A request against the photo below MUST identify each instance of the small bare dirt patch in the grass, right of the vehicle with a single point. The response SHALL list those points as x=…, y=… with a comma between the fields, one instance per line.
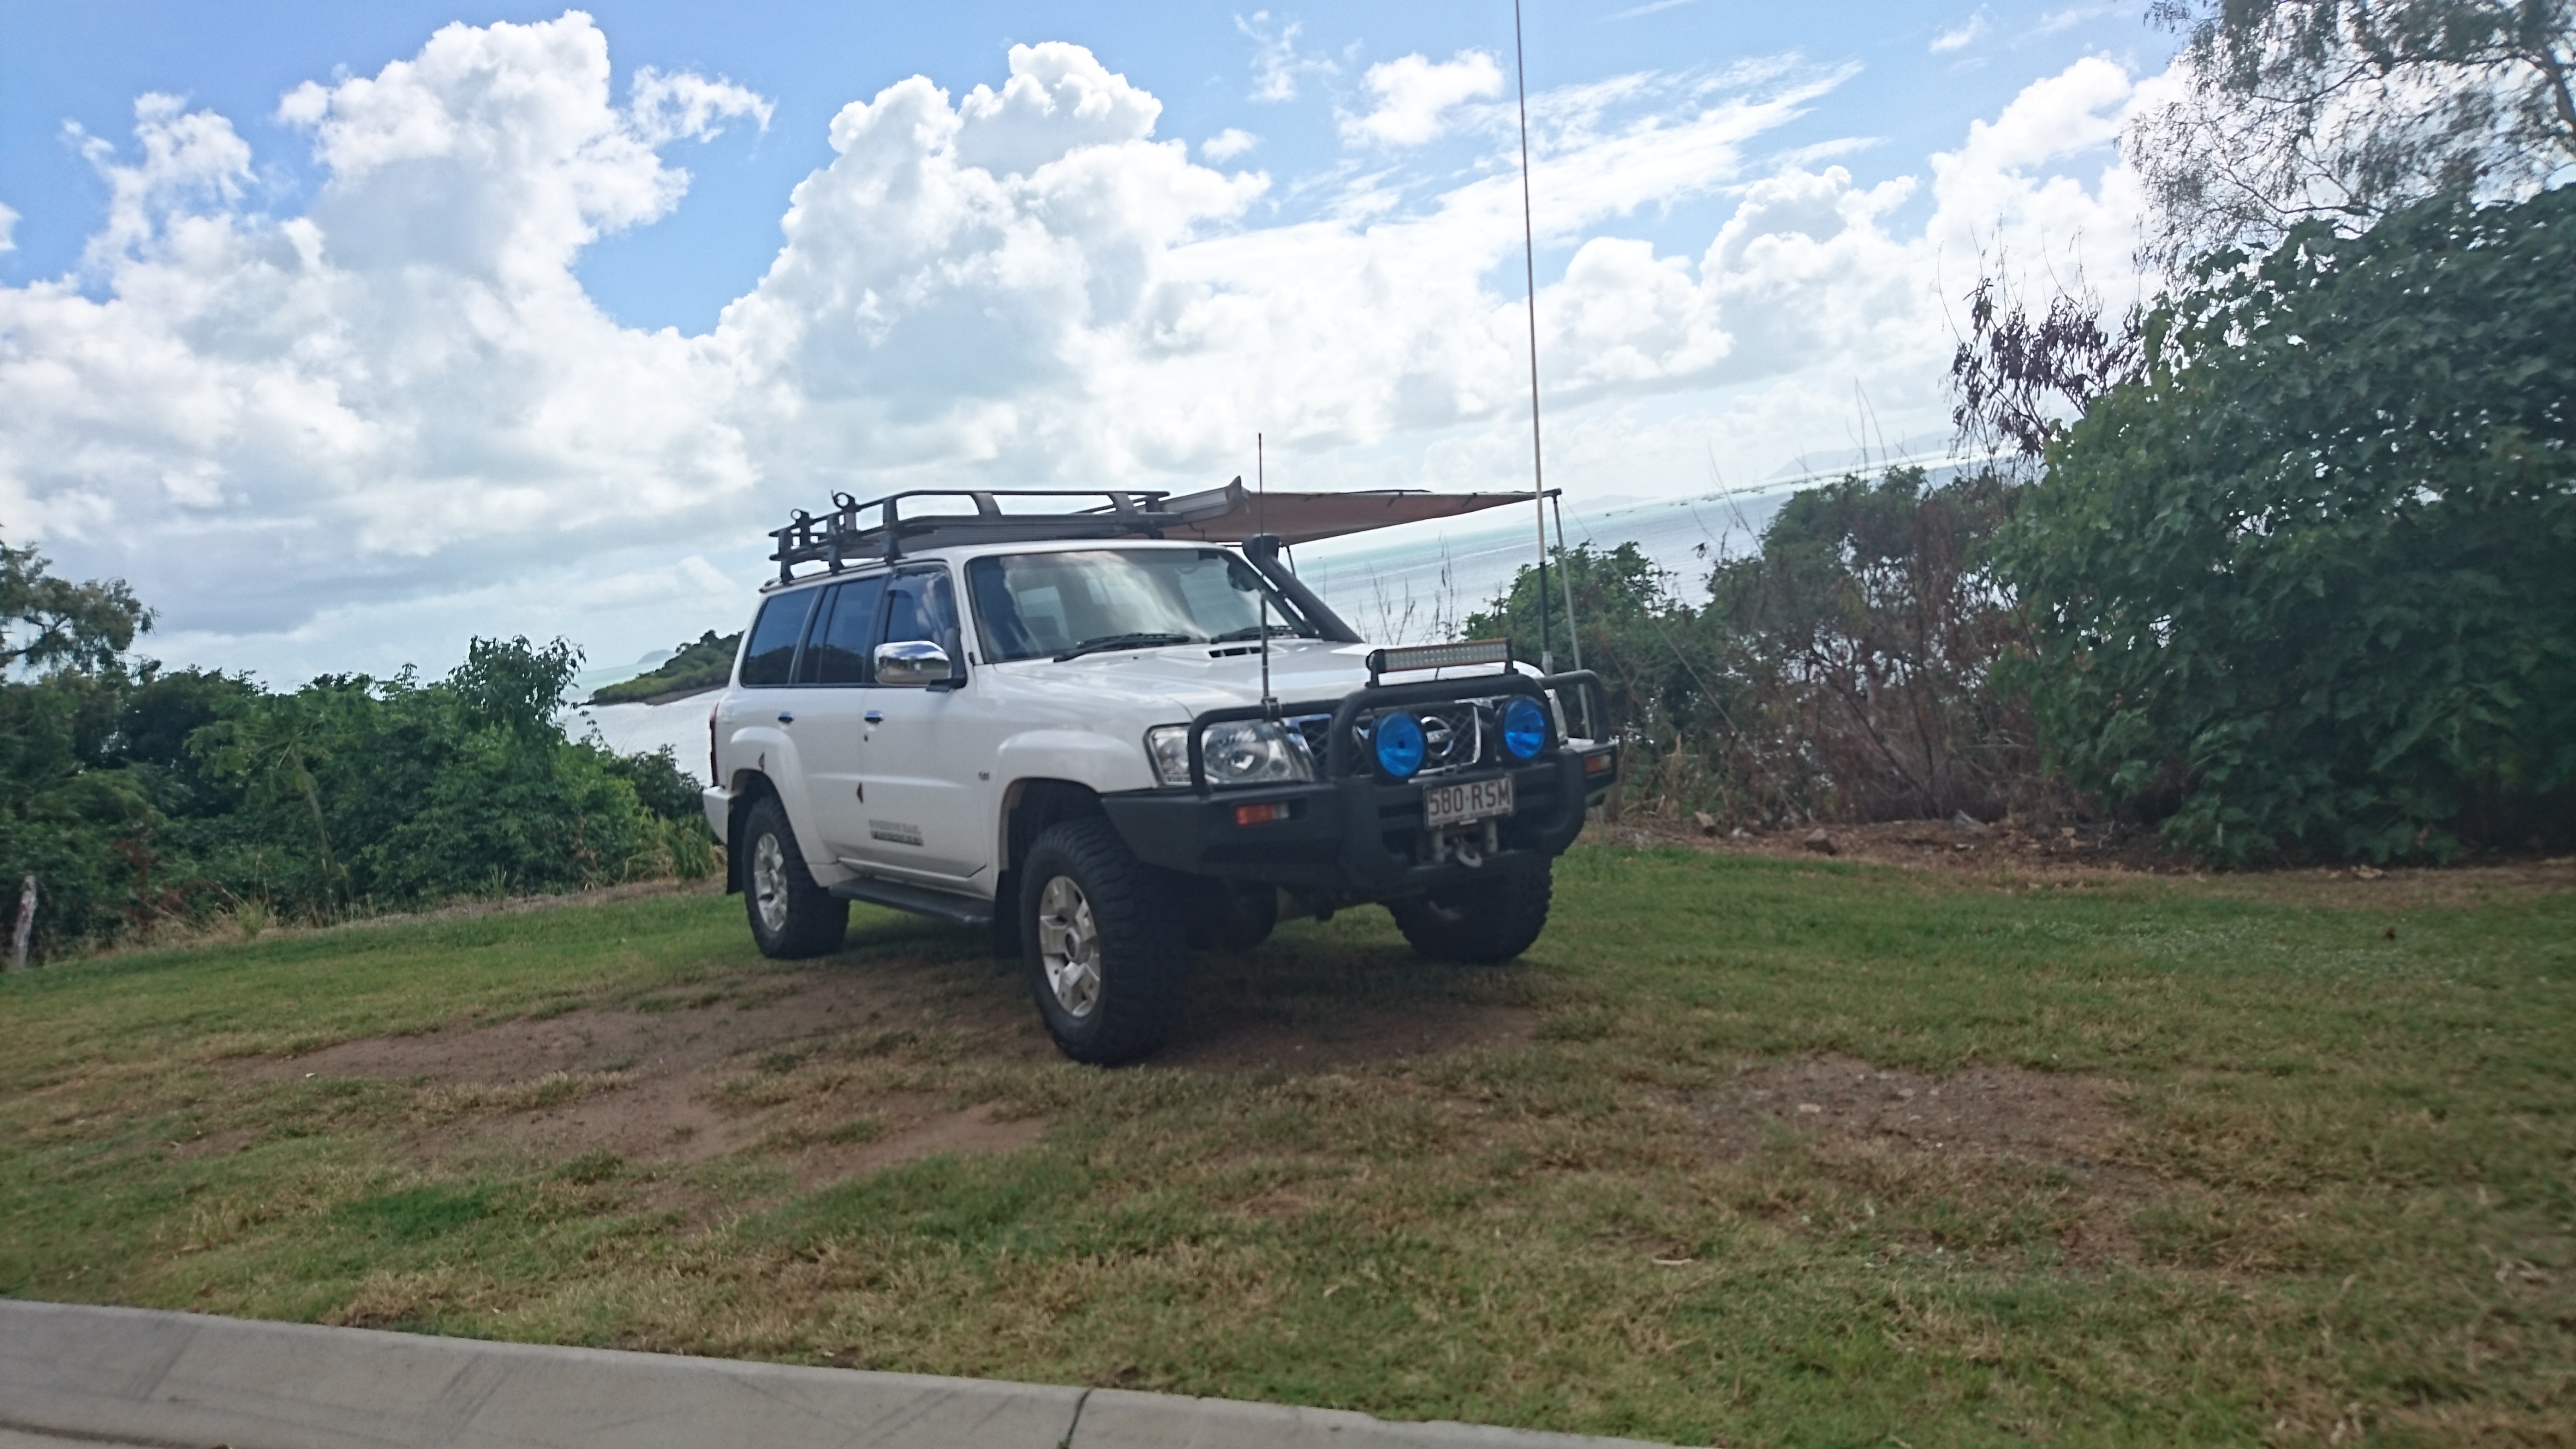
x=2047, y=1118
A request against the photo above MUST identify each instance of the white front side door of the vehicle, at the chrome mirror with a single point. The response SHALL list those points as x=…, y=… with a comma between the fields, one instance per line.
x=929, y=793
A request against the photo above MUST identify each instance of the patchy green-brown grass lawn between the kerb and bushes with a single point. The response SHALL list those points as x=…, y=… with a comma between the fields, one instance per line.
x=2343, y=1198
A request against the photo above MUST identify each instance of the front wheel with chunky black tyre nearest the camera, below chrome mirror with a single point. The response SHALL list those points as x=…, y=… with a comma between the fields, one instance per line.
x=1101, y=940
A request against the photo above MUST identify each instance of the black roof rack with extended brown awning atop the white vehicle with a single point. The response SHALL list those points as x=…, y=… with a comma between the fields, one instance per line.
x=885, y=530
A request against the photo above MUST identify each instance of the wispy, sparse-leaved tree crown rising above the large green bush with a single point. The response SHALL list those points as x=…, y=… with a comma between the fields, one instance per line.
x=2348, y=112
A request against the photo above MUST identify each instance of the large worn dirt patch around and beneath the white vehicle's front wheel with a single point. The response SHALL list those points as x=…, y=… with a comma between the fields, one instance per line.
x=784, y=1069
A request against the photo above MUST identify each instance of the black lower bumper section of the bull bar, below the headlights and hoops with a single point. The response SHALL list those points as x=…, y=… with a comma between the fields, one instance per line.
x=1356, y=837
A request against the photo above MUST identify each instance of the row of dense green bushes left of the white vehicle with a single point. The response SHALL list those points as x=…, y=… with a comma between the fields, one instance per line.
x=143, y=798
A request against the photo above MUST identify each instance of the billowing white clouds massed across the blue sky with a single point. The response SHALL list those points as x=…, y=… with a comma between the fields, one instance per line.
x=401, y=414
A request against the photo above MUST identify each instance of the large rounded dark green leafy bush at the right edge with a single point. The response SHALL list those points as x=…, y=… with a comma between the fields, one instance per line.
x=2309, y=587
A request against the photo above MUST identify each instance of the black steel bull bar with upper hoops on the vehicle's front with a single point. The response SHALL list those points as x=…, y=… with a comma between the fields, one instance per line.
x=1351, y=834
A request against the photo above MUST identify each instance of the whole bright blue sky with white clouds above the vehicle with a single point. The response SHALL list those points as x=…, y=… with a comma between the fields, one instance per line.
x=349, y=334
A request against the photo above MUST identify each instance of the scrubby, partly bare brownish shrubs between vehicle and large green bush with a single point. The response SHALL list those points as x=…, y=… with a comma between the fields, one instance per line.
x=1843, y=672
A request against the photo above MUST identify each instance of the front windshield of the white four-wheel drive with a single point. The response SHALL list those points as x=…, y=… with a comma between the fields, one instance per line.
x=1109, y=599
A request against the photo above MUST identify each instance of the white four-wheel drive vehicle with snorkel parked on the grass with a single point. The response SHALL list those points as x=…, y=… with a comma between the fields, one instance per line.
x=1112, y=744
